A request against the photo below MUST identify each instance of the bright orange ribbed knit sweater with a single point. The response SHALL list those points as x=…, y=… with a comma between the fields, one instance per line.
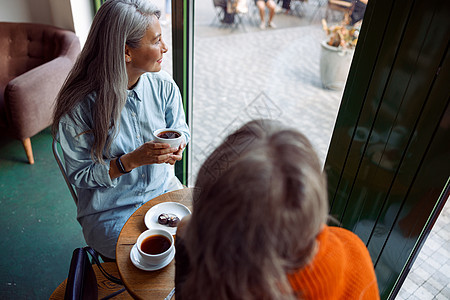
x=342, y=269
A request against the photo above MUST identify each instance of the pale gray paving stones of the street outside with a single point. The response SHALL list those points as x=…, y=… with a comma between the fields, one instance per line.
x=242, y=73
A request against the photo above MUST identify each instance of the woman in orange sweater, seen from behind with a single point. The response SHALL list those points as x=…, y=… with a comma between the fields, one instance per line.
x=258, y=226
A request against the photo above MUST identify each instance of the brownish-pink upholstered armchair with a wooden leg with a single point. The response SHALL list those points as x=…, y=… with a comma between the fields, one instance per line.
x=34, y=62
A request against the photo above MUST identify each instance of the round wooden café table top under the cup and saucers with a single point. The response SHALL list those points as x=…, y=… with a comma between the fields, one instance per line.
x=146, y=284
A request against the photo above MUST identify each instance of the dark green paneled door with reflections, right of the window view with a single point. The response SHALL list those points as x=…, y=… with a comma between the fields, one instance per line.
x=388, y=164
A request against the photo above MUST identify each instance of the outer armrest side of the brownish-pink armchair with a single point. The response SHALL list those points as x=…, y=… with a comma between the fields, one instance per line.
x=30, y=97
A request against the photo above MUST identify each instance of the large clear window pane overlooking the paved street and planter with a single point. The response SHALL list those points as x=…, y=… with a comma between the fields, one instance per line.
x=280, y=68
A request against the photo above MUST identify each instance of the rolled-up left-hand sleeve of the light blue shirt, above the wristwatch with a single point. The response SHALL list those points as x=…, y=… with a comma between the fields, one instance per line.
x=82, y=171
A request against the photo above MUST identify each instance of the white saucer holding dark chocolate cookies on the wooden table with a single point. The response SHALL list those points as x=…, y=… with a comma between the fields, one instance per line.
x=171, y=208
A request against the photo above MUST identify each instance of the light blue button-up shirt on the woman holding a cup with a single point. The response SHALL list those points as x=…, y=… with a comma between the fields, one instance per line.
x=104, y=205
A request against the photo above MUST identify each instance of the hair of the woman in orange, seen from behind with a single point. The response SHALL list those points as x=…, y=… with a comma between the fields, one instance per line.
x=260, y=203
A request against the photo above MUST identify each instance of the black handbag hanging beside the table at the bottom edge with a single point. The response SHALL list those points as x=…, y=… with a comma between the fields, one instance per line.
x=82, y=282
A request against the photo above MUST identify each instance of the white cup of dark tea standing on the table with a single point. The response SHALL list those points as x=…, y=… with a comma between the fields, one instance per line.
x=155, y=245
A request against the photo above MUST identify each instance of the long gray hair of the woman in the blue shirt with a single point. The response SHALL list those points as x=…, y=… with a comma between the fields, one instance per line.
x=101, y=68
